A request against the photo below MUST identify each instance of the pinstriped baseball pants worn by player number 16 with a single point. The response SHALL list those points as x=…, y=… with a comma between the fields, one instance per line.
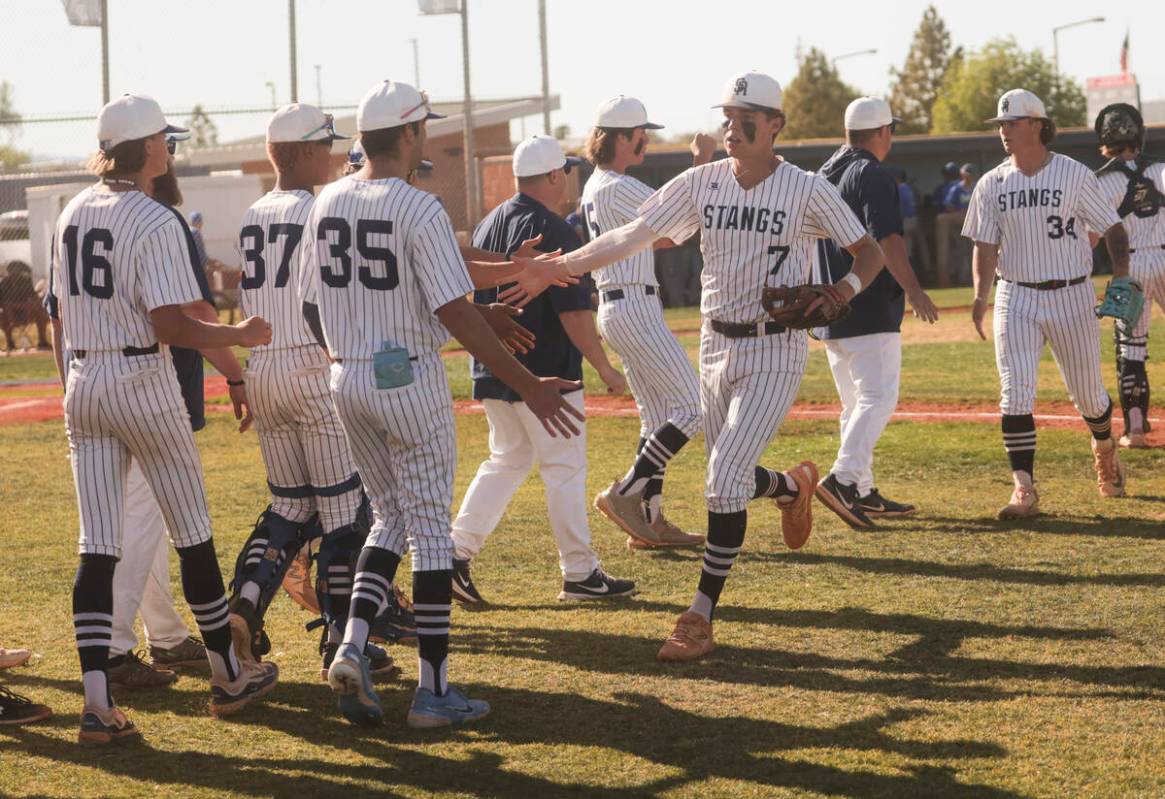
x=117, y=407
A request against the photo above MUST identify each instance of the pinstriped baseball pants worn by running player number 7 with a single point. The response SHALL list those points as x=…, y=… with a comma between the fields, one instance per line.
x=747, y=387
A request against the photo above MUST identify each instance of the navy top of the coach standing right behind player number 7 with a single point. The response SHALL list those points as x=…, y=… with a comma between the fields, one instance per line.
x=873, y=195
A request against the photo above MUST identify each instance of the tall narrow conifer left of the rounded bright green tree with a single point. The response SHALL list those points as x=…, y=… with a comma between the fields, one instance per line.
x=917, y=84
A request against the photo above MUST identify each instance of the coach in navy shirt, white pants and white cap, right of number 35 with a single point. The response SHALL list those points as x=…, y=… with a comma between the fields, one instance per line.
x=563, y=326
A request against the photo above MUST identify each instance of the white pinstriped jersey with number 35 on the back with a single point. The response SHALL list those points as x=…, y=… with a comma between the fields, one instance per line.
x=382, y=259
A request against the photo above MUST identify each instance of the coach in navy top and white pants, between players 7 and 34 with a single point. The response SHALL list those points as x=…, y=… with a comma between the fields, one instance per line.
x=865, y=350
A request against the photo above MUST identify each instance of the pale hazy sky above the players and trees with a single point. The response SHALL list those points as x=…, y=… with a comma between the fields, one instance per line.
x=675, y=56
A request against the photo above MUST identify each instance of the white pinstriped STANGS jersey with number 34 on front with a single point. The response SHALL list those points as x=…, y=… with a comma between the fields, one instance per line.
x=1040, y=223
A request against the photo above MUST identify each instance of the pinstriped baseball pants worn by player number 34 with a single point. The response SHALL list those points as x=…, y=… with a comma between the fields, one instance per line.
x=1025, y=321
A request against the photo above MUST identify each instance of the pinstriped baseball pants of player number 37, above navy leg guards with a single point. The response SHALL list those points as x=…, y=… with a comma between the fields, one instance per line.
x=300, y=436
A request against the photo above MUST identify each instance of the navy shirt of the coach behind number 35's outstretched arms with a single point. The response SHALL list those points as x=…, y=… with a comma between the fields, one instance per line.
x=554, y=355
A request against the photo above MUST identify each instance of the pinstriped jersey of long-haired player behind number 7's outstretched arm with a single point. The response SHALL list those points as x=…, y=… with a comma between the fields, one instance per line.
x=611, y=201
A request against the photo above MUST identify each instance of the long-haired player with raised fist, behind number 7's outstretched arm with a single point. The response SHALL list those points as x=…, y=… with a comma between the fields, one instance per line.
x=631, y=320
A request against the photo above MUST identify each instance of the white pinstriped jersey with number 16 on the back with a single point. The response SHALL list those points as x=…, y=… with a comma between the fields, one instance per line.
x=117, y=256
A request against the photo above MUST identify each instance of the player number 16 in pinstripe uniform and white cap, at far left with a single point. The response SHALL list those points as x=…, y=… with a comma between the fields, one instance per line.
x=121, y=275
